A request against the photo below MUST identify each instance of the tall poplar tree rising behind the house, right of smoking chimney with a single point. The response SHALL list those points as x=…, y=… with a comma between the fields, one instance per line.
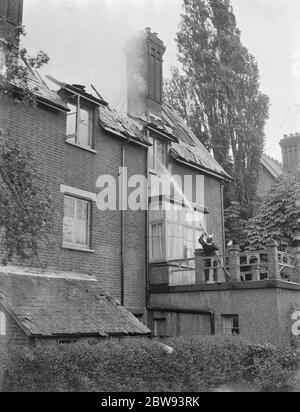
x=217, y=92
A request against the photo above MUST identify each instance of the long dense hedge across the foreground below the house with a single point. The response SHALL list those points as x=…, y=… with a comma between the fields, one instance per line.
x=196, y=364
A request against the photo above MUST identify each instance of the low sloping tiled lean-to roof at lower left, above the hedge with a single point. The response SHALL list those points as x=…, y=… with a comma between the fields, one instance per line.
x=48, y=306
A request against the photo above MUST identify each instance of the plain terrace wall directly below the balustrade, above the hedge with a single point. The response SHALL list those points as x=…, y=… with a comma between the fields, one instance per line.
x=264, y=312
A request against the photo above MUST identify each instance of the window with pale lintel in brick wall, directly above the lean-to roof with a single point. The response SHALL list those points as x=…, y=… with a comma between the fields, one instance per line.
x=76, y=222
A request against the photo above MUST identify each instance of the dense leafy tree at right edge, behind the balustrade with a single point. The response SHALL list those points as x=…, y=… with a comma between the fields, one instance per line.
x=279, y=215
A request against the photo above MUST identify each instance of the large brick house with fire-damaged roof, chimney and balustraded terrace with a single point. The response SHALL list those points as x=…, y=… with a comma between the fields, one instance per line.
x=144, y=258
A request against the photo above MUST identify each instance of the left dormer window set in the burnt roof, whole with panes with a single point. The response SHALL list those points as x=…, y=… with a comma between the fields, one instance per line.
x=80, y=121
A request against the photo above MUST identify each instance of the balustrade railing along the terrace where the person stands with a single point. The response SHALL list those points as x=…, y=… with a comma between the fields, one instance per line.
x=234, y=266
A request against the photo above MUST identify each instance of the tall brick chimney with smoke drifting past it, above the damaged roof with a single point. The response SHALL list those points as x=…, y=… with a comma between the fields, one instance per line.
x=144, y=55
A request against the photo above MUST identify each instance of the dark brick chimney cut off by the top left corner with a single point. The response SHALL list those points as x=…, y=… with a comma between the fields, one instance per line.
x=11, y=14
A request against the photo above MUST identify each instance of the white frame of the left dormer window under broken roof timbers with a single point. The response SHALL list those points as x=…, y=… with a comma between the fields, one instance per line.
x=75, y=137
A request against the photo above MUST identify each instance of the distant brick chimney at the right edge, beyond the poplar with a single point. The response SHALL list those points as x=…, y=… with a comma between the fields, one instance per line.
x=290, y=147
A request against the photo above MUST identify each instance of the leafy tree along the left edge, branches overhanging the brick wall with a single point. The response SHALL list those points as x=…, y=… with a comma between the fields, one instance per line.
x=25, y=203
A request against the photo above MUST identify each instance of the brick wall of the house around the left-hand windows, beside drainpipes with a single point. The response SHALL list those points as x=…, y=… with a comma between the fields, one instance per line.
x=61, y=163
